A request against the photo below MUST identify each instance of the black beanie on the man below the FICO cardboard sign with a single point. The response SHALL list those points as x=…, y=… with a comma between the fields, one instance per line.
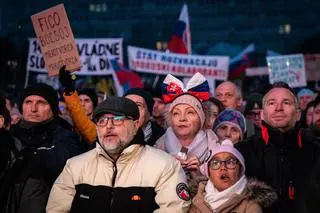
x=46, y=92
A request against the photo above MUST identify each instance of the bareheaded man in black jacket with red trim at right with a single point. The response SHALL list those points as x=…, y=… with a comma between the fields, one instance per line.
x=280, y=155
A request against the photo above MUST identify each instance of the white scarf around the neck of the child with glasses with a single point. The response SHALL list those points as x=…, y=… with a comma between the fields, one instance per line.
x=215, y=198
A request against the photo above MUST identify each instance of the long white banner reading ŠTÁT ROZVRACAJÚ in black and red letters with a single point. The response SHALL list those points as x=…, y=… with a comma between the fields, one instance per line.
x=156, y=62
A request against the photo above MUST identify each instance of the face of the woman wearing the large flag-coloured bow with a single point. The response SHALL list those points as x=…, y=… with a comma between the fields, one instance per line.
x=185, y=121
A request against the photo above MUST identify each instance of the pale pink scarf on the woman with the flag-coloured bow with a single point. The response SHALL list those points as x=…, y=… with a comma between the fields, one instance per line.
x=197, y=147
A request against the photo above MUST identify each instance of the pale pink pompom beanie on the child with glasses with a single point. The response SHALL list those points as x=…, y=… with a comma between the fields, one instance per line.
x=224, y=146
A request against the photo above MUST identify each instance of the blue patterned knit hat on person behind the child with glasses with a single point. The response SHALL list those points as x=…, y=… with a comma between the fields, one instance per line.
x=232, y=117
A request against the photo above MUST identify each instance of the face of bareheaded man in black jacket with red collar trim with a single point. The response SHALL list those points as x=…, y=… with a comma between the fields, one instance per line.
x=280, y=109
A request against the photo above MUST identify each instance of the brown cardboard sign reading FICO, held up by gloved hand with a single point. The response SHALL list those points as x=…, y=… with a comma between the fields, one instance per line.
x=56, y=39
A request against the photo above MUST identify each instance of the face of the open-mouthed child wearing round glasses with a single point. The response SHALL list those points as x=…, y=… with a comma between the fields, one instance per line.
x=224, y=177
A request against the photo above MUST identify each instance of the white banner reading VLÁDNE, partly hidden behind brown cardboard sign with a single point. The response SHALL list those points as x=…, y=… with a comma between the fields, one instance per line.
x=94, y=54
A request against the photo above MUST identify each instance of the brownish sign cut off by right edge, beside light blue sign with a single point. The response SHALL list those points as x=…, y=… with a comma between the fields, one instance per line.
x=312, y=64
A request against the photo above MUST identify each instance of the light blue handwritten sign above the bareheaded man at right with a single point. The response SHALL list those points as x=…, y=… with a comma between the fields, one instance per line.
x=287, y=68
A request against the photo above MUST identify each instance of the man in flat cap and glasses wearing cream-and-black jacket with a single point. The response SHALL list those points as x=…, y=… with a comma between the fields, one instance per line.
x=122, y=174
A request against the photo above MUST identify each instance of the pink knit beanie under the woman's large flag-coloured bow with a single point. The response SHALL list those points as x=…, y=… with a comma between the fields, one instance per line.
x=191, y=101
